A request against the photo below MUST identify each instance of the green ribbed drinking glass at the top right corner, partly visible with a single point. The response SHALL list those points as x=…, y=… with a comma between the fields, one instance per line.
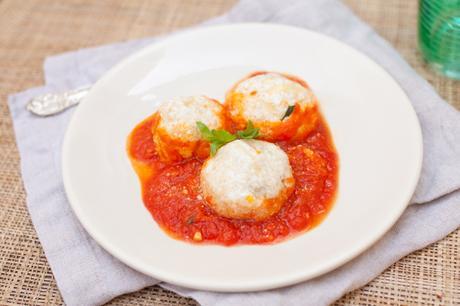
x=439, y=35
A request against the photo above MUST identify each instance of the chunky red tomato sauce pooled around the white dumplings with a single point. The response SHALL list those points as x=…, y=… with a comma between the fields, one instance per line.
x=171, y=192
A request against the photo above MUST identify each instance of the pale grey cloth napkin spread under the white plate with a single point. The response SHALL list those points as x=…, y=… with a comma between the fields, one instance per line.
x=87, y=275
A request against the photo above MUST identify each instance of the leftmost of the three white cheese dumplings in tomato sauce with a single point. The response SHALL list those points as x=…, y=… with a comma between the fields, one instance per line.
x=175, y=133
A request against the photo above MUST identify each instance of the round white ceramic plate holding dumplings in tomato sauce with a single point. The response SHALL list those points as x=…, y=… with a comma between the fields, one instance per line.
x=374, y=127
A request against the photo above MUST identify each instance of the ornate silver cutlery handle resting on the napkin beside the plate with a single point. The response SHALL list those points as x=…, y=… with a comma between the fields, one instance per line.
x=51, y=104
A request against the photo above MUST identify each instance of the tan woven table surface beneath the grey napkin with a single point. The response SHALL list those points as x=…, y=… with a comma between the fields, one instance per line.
x=30, y=30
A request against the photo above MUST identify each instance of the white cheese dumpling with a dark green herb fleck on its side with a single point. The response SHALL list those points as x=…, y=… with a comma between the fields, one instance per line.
x=282, y=106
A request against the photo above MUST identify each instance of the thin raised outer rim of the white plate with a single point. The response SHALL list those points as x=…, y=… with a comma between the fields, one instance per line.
x=260, y=285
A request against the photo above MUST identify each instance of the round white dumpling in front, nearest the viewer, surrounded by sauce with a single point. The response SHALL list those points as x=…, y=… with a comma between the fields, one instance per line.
x=247, y=179
